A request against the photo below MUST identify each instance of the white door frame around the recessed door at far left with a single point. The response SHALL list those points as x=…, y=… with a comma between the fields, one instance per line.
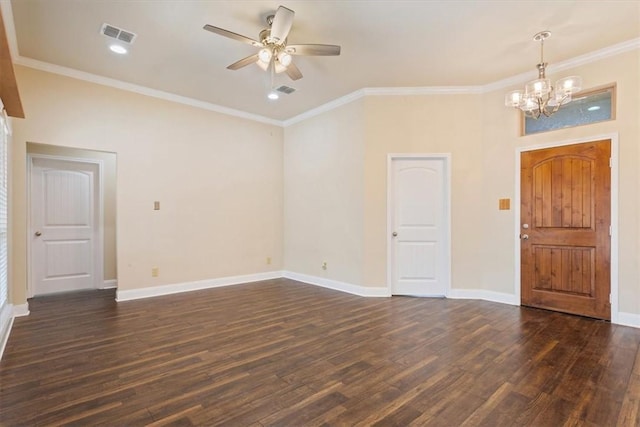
x=99, y=220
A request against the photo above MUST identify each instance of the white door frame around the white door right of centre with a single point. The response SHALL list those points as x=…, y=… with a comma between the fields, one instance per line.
x=446, y=158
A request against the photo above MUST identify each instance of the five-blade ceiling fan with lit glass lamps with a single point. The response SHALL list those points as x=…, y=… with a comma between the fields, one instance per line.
x=275, y=53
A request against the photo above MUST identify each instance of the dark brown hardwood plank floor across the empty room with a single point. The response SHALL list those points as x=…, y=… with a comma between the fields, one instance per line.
x=284, y=353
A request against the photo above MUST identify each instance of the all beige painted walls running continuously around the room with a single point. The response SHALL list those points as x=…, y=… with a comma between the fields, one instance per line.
x=220, y=180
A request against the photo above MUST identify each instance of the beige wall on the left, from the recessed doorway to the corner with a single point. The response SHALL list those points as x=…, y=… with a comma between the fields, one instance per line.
x=218, y=178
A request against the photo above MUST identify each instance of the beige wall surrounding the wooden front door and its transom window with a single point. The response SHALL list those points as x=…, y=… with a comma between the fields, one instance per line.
x=500, y=135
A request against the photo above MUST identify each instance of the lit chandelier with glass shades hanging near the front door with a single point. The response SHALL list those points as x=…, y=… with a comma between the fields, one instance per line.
x=539, y=97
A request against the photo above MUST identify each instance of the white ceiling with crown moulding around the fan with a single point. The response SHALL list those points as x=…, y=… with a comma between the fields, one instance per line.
x=384, y=43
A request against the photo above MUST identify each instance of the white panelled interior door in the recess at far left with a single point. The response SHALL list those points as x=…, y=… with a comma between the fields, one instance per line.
x=64, y=226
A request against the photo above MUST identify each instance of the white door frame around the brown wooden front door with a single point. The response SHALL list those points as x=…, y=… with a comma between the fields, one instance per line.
x=613, y=137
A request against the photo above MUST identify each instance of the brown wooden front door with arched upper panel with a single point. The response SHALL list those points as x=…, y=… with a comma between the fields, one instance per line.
x=565, y=229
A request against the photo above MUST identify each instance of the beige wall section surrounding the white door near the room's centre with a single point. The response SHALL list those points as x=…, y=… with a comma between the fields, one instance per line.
x=423, y=124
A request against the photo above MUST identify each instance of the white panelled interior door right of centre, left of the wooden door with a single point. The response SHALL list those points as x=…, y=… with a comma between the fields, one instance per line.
x=419, y=226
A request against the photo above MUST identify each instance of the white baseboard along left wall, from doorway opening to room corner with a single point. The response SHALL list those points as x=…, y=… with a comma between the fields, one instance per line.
x=131, y=294
